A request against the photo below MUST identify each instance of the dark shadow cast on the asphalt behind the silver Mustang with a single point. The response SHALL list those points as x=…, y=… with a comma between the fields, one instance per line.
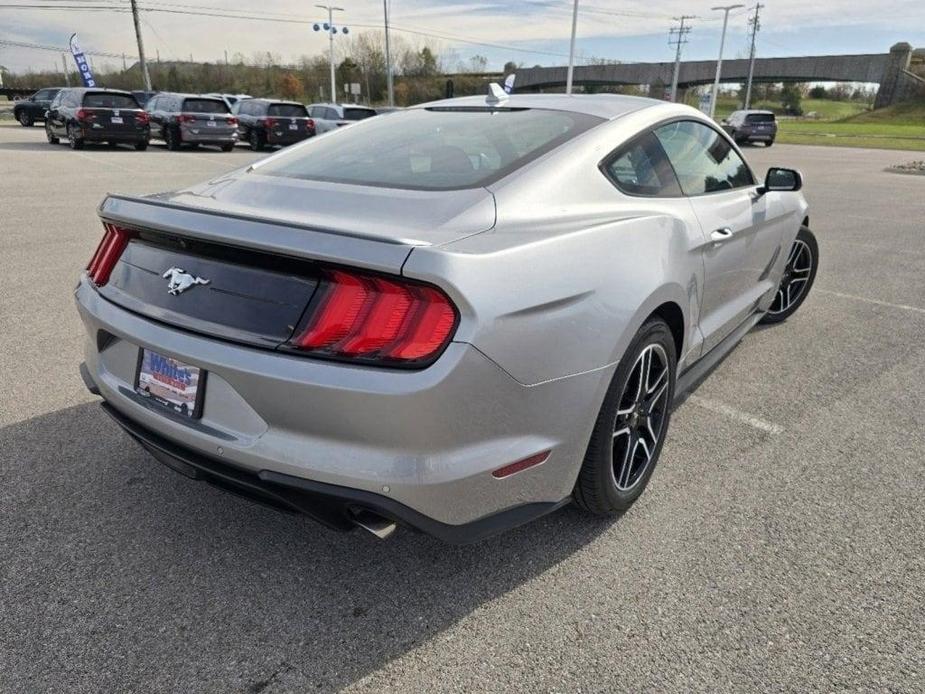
x=119, y=574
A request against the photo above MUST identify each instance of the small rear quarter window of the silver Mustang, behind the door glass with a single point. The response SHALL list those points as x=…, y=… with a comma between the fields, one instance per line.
x=641, y=168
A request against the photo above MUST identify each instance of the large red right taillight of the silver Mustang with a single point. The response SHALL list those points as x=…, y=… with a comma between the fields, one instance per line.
x=372, y=319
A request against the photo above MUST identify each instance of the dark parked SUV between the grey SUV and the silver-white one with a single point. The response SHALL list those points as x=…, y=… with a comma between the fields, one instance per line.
x=265, y=122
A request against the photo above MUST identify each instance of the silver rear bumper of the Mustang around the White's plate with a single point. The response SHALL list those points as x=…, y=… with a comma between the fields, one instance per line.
x=422, y=443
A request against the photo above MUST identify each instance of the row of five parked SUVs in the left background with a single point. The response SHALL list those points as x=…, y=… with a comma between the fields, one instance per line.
x=92, y=115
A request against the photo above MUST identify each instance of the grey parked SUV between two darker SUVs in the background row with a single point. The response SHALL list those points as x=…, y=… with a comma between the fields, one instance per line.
x=192, y=119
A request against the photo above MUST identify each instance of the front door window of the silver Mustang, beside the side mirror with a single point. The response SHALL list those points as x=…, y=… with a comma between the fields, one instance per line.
x=703, y=160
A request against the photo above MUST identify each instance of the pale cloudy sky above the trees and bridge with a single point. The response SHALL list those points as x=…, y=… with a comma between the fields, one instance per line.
x=529, y=32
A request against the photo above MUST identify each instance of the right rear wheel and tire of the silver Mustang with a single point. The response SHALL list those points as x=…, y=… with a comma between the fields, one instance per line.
x=617, y=468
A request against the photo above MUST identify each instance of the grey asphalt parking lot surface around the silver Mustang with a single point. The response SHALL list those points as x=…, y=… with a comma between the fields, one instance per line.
x=780, y=545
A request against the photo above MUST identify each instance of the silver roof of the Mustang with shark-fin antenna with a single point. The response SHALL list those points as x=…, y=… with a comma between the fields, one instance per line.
x=606, y=106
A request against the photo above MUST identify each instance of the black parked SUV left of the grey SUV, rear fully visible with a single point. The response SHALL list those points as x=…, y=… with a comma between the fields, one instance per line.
x=96, y=115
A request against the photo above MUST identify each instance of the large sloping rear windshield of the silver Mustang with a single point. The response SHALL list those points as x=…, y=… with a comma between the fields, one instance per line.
x=432, y=149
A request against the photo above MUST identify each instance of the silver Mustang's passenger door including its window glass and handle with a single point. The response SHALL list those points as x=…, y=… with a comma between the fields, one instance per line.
x=742, y=230
